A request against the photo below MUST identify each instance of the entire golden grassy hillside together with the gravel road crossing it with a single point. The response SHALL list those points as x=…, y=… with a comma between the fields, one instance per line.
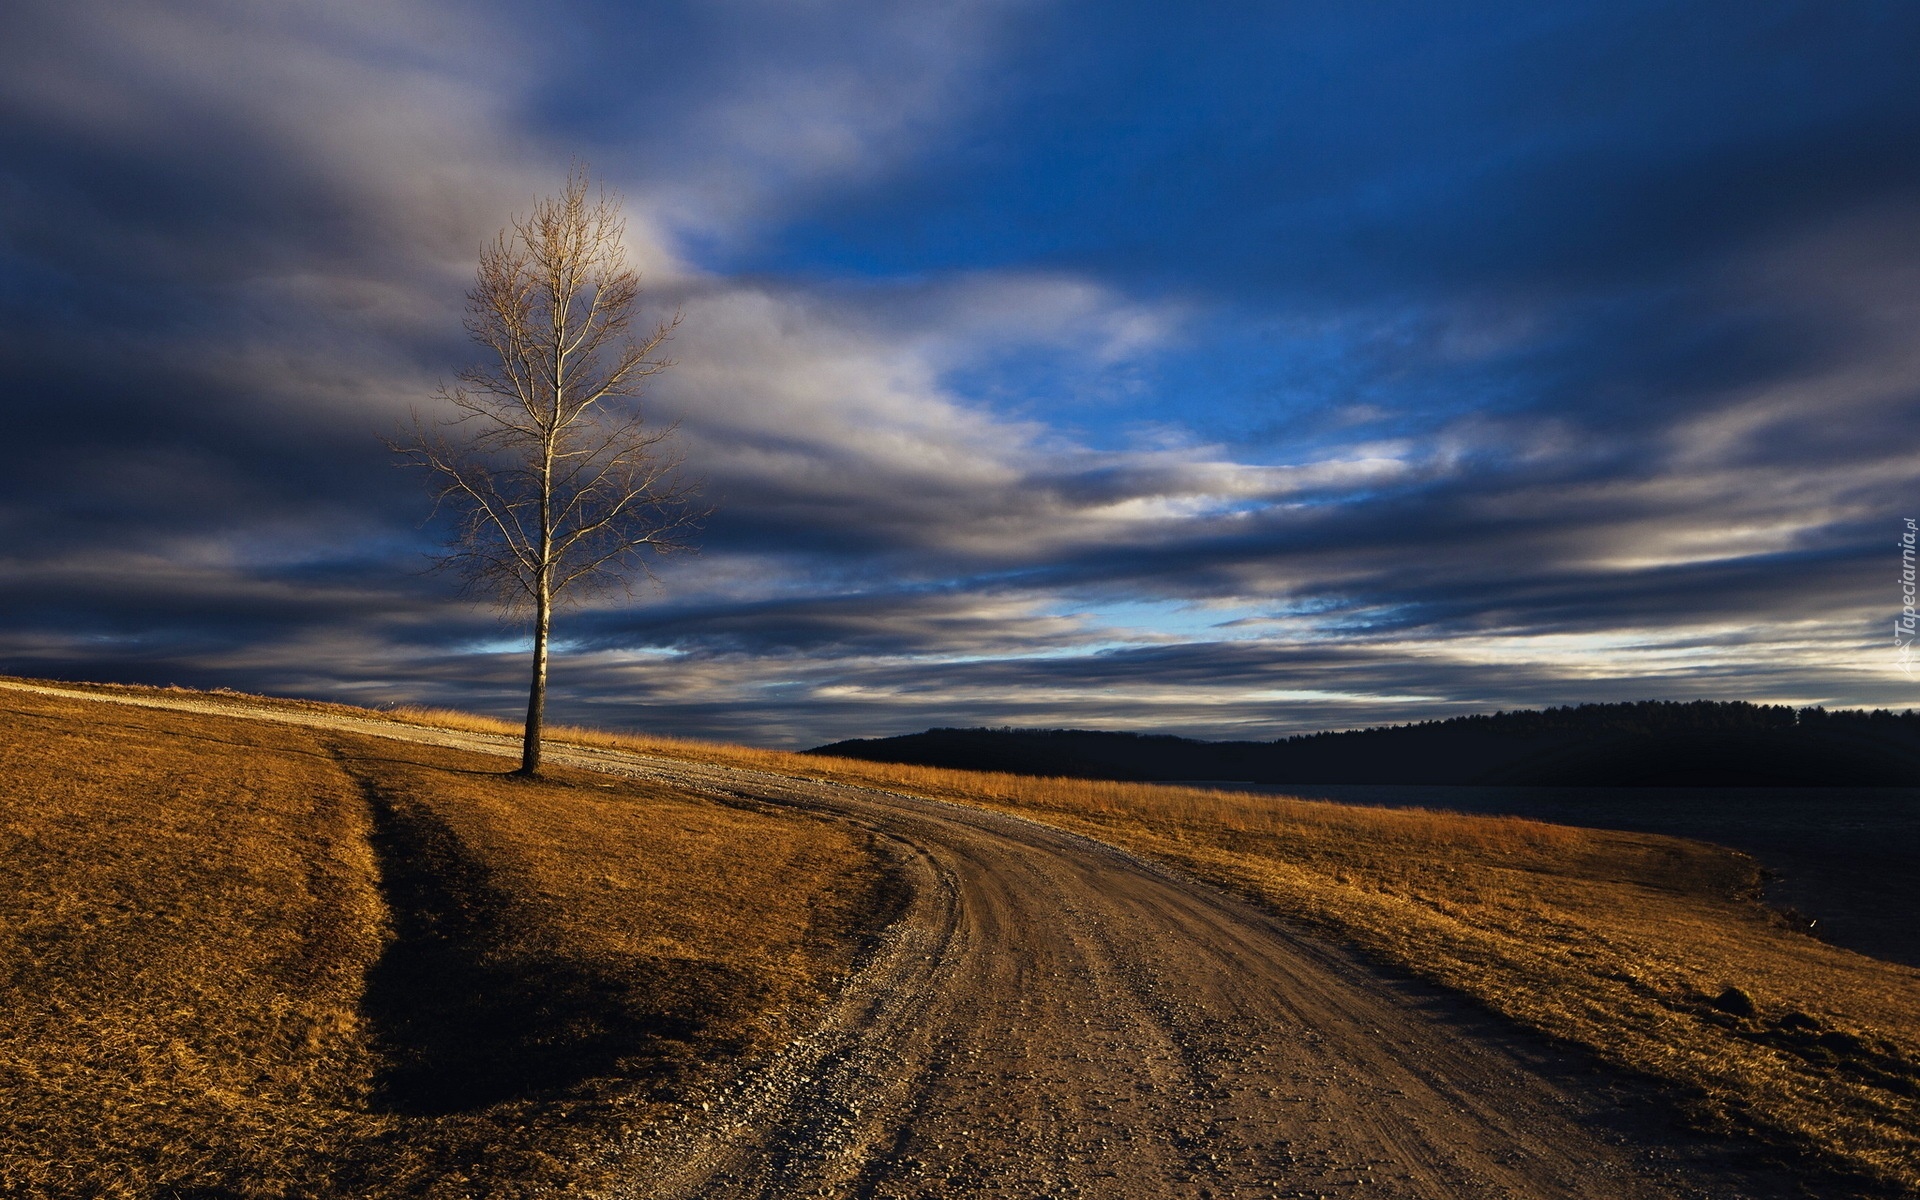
x=254, y=959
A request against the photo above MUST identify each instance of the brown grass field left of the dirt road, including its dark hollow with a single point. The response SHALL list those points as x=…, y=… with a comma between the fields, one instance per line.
x=243, y=959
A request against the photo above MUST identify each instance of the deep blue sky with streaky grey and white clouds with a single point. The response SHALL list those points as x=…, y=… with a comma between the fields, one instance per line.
x=1228, y=370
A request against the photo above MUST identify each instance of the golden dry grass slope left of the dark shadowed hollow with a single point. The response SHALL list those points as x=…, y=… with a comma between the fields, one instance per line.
x=183, y=942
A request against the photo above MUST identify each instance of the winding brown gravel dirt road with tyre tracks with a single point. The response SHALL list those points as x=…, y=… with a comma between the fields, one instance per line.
x=1055, y=1019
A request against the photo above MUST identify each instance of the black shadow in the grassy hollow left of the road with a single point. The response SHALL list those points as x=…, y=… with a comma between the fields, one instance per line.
x=471, y=1011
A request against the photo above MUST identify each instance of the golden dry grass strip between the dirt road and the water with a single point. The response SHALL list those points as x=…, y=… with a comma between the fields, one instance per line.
x=1623, y=944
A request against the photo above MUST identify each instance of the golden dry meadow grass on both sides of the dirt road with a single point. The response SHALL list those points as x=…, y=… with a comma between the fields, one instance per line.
x=158, y=1015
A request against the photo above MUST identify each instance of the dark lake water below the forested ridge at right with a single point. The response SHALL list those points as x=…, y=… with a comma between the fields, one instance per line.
x=1846, y=857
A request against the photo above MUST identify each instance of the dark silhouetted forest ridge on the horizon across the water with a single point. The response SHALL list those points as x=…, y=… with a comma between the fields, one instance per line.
x=1648, y=744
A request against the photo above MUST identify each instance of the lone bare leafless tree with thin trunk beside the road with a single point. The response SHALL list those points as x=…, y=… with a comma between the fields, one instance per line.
x=560, y=485
